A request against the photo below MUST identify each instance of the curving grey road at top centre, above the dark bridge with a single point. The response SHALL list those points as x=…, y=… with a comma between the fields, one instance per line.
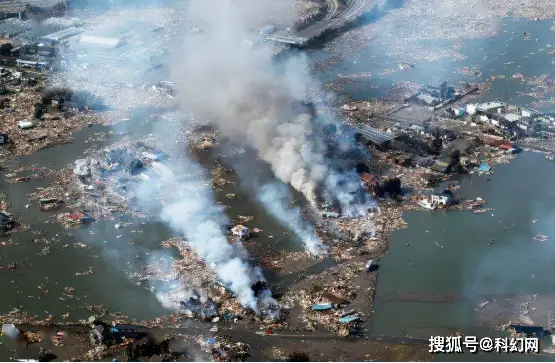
x=334, y=19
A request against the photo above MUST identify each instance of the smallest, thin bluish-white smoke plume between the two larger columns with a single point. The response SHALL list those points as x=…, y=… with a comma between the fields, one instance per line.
x=275, y=198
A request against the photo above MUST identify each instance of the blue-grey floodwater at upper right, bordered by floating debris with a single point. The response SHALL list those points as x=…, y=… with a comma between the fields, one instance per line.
x=504, y=54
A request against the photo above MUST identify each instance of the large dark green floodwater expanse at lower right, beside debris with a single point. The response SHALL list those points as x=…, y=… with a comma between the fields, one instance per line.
x=447, y=254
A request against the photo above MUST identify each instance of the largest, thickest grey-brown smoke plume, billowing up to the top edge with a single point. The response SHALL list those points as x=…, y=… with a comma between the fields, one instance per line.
x=242, y=91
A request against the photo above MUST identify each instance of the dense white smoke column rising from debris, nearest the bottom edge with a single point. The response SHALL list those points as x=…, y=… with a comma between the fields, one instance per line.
x=191, y=211
